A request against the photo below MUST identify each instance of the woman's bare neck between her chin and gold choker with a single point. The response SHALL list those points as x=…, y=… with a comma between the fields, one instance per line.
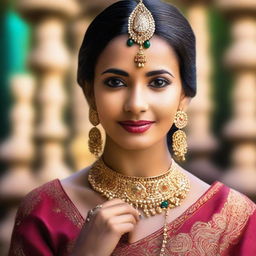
x=152, y=161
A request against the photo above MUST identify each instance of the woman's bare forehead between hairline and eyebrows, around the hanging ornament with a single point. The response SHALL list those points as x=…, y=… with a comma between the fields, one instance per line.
x=117, y=54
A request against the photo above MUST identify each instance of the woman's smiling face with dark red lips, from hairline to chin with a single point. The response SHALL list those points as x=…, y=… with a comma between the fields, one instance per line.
x=136, y=106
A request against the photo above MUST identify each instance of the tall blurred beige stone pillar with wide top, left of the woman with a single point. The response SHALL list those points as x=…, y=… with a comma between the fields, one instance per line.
x=50, y=59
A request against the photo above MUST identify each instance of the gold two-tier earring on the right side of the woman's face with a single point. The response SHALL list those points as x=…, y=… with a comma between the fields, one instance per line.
x=179, y=137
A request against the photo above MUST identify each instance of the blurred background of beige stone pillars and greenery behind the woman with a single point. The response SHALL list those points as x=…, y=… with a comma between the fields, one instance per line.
x=44, y=124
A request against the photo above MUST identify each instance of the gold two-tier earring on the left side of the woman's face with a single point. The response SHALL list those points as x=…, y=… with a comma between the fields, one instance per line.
x=95, y=139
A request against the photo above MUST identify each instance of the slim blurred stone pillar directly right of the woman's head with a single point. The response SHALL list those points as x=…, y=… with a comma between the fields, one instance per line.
x=201, y=141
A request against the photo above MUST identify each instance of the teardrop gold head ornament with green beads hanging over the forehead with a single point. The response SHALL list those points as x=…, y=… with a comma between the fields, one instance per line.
x=141, y=27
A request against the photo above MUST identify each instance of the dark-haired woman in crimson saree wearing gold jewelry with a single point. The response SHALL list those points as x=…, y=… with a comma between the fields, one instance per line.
x=137, y=71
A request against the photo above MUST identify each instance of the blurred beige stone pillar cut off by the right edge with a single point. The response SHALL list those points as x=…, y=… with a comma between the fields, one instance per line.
x=241, y=129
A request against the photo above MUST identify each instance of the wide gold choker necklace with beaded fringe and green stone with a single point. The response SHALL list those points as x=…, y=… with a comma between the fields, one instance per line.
x=149, y=194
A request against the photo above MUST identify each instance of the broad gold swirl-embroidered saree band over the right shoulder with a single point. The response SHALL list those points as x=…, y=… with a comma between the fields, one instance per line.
x=214, y=237
